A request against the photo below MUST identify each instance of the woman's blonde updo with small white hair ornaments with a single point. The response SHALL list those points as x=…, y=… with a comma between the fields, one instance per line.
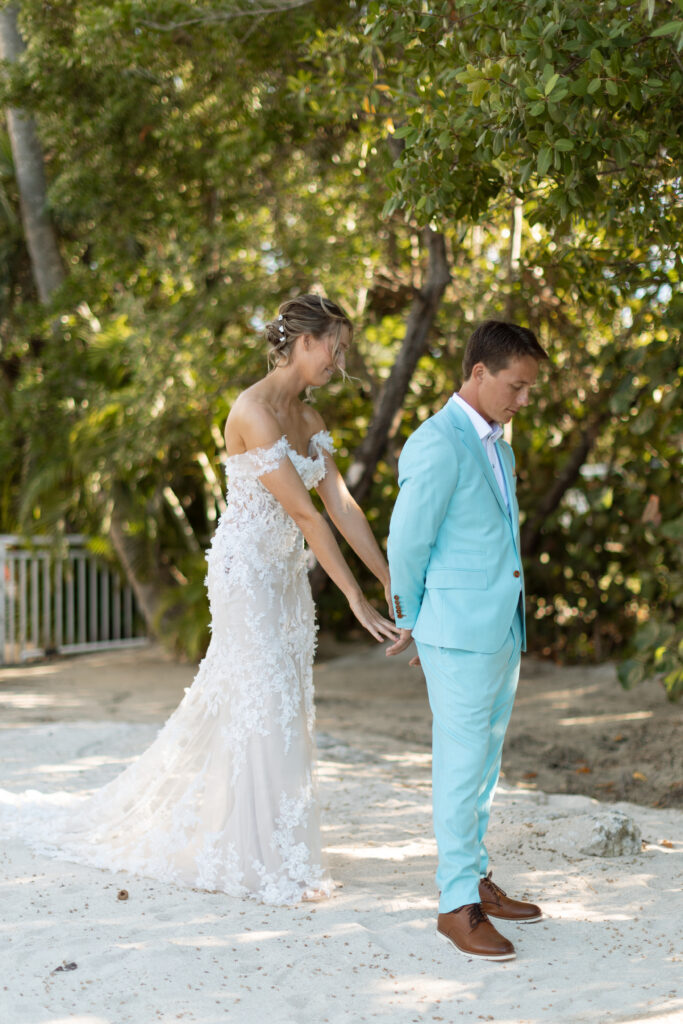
x=312, y=315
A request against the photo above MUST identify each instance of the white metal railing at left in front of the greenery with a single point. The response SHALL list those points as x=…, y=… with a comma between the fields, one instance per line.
x=61, y=599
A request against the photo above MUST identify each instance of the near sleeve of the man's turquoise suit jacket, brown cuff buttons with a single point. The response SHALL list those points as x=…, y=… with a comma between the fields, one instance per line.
x=428, y=479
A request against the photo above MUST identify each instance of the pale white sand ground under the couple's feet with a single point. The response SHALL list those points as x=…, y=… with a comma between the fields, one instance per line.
x=610, y=951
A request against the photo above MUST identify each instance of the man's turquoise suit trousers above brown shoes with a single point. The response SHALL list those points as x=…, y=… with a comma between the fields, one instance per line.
x=472, y=697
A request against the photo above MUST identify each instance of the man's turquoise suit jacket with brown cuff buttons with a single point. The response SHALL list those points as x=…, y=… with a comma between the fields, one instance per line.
x=454, y=549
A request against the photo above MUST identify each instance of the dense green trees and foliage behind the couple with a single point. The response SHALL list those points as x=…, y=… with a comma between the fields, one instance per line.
x=206, y=160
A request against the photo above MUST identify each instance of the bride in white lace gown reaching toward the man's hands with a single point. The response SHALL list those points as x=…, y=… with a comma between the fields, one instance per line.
x=225, y=798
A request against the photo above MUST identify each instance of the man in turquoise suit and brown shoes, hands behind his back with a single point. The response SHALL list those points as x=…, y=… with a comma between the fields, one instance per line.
x=459, y=591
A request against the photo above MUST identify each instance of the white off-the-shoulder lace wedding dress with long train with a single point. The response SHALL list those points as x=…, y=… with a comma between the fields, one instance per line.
x=225, y=798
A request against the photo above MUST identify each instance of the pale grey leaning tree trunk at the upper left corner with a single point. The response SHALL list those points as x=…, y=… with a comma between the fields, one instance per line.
x=49, y=272
